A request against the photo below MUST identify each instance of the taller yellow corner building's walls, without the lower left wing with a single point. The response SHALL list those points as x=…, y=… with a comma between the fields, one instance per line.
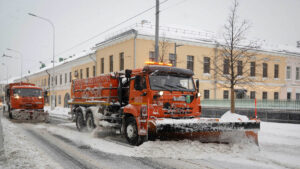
x=131, y=49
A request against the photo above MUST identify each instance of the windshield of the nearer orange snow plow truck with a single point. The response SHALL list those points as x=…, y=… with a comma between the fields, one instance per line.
x=171, y=83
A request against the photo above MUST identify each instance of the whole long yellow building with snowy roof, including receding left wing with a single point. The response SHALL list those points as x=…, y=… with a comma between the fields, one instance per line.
x=132, y=48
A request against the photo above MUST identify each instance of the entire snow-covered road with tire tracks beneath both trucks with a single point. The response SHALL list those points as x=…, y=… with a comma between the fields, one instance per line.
x=59, y=145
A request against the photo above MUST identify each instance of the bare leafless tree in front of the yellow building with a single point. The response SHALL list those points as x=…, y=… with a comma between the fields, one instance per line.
x=232, y=60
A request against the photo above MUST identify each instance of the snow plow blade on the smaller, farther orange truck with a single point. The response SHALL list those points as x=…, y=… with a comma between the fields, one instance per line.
x=30, y=115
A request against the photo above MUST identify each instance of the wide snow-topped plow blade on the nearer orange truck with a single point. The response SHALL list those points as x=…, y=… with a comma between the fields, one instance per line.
x=206, y=130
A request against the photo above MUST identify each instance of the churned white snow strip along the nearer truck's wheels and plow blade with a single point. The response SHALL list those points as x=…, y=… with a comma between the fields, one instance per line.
x=279, y=147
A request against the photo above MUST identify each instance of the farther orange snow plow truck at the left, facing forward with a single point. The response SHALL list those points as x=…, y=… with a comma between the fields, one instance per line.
x=25, y=101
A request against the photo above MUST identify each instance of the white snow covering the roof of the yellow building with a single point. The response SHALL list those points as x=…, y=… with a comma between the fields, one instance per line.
x=195, y=35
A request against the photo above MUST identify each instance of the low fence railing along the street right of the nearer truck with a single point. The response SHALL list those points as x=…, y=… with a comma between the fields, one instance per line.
x=292, y=105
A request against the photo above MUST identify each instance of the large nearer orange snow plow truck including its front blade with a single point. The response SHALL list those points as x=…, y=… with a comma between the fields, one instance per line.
x=156, y=101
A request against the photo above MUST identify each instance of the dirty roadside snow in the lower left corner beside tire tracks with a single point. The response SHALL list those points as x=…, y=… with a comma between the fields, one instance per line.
x=21, y=152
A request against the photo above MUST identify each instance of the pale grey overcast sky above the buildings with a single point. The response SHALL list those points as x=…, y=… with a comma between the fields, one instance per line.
x=276, y=21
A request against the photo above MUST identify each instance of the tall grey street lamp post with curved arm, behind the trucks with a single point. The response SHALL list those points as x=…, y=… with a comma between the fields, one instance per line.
x=53, y=71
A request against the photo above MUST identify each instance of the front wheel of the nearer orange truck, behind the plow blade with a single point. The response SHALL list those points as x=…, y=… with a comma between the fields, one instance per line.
x=131, y=132
